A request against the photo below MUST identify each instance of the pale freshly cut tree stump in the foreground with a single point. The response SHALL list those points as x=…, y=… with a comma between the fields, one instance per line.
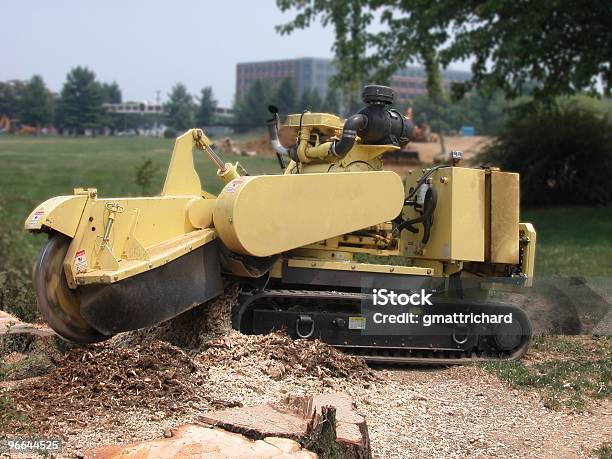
x=324, y=426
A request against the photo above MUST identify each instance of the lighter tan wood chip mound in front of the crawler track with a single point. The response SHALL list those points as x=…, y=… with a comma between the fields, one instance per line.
x=279, y=356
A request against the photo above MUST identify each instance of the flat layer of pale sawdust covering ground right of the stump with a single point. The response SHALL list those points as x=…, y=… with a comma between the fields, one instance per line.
x=467, y=412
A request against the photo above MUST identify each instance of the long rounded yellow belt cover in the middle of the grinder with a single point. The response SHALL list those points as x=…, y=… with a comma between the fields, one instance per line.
x=268, y=215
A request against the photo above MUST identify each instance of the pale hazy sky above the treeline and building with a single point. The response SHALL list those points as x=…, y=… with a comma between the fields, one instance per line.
x=147, y=45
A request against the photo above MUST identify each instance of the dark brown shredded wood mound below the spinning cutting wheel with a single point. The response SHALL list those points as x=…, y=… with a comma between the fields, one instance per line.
x=157, y=376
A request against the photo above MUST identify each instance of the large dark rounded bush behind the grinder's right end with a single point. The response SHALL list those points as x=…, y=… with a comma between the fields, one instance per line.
x=563, y=152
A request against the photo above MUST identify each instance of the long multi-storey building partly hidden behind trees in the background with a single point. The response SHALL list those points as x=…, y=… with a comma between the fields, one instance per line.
x=310, y=73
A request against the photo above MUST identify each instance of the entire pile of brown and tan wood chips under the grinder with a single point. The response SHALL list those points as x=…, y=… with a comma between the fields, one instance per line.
x=173, y=370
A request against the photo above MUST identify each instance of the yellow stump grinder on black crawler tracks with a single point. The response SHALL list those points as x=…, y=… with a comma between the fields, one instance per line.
x=327, y=249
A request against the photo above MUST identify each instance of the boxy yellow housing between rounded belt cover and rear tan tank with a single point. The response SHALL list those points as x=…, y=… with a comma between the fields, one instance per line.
x=458, y=229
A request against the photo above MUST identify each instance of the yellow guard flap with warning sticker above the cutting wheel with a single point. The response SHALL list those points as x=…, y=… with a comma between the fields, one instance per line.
x=61, y=213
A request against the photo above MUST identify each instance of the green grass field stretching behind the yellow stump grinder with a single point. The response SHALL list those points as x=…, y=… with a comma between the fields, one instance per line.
x=571, y=241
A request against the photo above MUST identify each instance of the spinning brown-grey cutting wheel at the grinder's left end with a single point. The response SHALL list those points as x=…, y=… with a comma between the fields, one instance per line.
x=58, y=304
